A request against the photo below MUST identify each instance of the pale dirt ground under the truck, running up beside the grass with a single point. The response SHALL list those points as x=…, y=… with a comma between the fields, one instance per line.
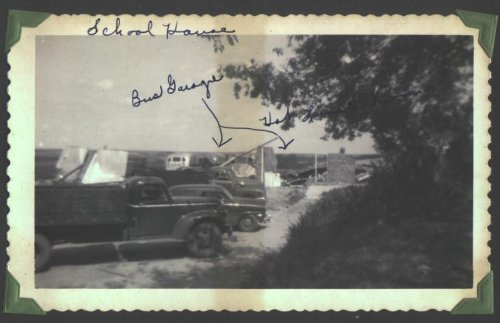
x=157, y=264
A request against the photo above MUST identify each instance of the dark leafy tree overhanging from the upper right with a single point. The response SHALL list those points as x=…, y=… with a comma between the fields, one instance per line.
x=413, y=94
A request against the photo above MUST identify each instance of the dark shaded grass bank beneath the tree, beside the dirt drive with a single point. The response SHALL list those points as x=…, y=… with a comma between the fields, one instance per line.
x=377, y=236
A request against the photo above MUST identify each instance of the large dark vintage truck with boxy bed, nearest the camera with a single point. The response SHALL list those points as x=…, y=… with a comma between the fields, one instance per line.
x=136, y=208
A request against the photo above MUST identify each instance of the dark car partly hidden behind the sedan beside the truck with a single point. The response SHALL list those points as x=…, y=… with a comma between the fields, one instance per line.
x=238, y=186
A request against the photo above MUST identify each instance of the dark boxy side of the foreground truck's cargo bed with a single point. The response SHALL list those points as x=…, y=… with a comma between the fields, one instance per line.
x=76, y=204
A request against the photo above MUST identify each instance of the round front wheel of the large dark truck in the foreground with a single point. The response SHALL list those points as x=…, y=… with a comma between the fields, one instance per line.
x=205, y=240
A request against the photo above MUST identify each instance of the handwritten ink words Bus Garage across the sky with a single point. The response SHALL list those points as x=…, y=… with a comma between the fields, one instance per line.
x=173, y=88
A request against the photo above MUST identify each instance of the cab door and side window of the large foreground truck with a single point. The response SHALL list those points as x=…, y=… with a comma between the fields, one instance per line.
x=153, y=214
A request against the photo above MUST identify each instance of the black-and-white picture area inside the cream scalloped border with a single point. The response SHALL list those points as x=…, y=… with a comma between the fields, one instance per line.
x=229, y=161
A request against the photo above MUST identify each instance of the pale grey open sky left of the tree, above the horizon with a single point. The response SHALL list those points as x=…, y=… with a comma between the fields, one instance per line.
x=84, y=91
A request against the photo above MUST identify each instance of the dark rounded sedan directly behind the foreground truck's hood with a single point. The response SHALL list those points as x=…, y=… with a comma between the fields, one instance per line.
x=243, y=213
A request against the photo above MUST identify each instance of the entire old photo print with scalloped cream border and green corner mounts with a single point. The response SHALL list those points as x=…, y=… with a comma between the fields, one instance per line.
x=249, y=163
